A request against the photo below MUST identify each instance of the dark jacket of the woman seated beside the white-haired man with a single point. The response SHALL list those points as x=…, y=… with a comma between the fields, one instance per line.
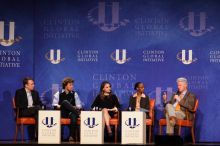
x=144, y=103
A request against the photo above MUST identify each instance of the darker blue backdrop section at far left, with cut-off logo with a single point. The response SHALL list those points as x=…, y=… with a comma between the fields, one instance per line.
x=16, y=56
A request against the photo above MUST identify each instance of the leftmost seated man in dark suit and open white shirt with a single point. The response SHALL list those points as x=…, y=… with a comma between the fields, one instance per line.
x=28, y=102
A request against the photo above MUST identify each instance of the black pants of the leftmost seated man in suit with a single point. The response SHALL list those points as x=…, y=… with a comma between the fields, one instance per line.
x=31, y=112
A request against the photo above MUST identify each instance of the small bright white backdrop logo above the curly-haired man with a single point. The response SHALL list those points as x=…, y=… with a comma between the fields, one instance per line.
x=51, y=57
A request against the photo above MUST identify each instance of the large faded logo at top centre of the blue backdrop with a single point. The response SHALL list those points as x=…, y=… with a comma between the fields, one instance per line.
x=102, y=18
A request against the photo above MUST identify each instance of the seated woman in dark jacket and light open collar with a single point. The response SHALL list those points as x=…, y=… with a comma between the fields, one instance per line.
x=139, y=101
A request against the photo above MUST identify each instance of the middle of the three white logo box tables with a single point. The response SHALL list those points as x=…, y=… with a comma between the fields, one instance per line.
x=92, y=127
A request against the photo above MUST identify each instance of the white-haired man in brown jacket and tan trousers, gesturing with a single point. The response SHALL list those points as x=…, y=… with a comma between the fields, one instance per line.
x=180, y=102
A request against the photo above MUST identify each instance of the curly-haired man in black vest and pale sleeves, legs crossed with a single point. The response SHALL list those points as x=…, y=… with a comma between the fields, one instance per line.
x=69, y=103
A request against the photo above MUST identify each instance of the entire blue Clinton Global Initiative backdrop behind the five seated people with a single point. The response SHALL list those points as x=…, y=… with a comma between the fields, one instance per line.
x=119, y=41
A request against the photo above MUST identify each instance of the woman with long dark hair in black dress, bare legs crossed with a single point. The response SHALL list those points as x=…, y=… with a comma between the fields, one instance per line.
x=107, y=102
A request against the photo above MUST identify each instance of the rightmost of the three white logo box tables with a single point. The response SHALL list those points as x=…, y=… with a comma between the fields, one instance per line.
x=133, y=127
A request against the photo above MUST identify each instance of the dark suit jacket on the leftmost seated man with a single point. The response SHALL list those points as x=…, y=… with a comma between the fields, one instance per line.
x=21, y=100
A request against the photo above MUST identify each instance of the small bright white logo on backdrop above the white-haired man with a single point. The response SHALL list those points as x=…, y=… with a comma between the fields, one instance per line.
x=181, y=56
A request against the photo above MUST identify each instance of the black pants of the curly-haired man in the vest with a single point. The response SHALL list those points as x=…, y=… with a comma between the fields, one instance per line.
x=68, y=111
